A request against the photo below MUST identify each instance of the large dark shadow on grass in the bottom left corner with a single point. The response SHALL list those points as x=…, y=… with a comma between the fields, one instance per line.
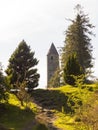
x=12, y=117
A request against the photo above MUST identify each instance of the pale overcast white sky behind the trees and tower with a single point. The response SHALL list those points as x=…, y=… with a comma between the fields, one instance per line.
x=39, y=23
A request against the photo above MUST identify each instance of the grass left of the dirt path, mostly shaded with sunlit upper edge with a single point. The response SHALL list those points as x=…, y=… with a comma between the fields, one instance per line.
x=14, y=116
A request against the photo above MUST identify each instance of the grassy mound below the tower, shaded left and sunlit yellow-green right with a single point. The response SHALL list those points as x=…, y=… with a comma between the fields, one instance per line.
x=58, y=98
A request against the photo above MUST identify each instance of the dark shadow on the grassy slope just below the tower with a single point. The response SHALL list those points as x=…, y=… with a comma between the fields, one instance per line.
x=51, y=99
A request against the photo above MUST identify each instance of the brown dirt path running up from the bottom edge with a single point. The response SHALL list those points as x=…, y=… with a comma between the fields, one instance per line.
x=44, y=116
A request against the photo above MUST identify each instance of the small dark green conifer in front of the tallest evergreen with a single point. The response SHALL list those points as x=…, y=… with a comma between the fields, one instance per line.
x=72, y=69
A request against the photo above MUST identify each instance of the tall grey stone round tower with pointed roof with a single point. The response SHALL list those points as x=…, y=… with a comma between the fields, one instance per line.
x=52, y=62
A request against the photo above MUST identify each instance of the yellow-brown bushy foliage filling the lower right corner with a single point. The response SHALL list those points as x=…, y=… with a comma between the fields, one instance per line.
x=88, y=113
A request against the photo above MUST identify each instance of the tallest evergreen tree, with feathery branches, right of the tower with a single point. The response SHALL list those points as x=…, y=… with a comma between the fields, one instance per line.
x=78, y=40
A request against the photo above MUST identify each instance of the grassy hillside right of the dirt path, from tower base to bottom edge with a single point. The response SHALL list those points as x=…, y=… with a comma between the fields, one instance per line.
x=64, y=102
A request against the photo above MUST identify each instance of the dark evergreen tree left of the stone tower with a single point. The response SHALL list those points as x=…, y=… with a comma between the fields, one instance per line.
x=21, y=67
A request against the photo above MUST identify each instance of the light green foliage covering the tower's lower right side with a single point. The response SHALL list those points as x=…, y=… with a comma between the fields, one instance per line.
x=55, y=80
